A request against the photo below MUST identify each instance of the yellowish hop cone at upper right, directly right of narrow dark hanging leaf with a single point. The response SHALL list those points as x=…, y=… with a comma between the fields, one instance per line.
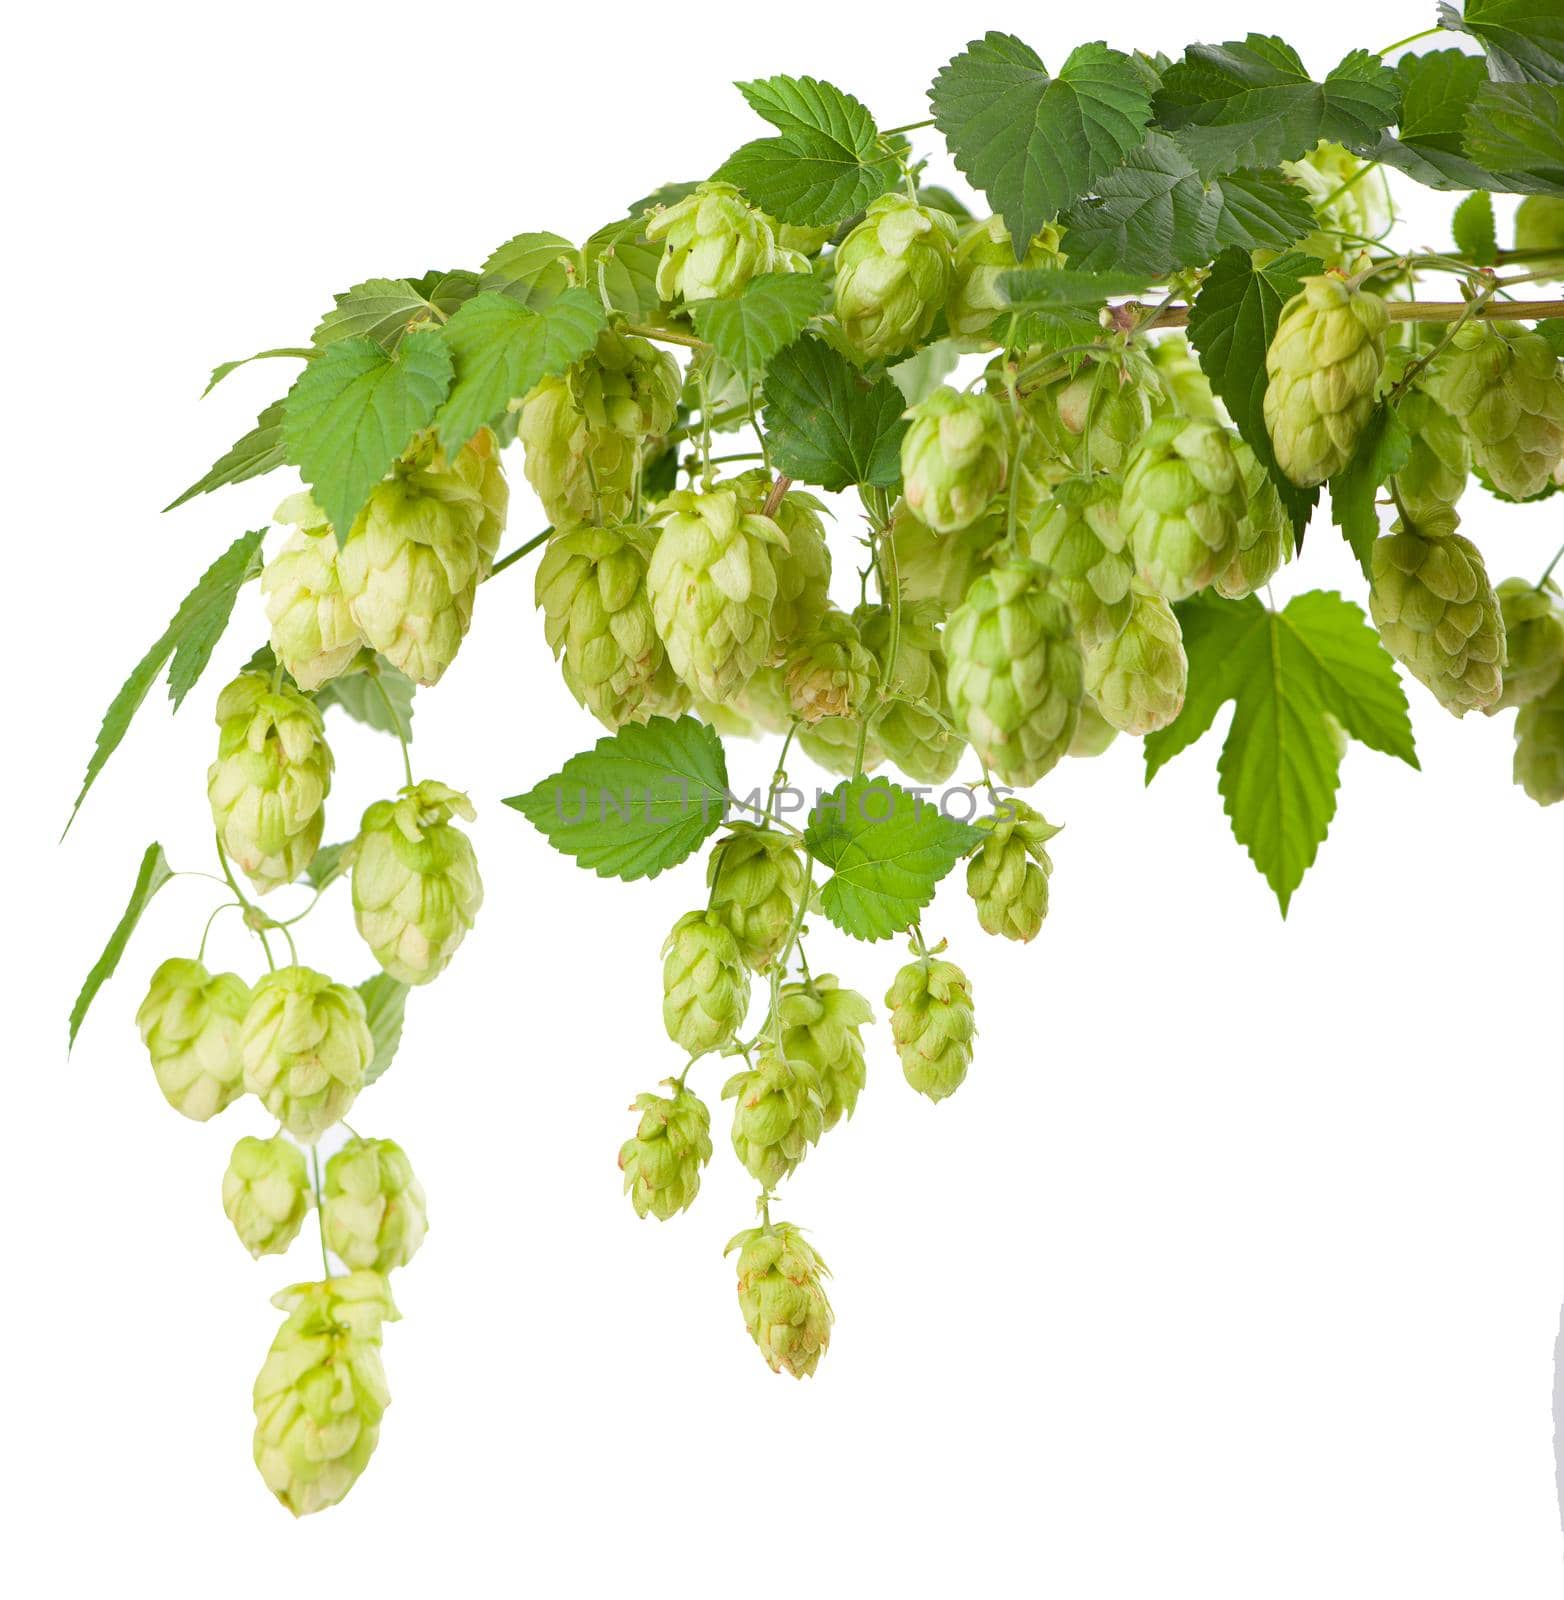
x=1323, y=370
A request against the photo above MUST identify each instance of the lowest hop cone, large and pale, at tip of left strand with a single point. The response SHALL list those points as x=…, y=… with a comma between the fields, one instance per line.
x=322, y=1391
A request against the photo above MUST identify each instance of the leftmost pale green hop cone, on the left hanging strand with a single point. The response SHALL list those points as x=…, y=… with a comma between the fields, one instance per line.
x=190, y=1025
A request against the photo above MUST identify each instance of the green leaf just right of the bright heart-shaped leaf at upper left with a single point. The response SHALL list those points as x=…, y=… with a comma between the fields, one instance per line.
x=501, y=350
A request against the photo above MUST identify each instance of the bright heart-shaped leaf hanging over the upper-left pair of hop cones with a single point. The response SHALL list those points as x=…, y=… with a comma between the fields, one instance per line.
x=356, y=409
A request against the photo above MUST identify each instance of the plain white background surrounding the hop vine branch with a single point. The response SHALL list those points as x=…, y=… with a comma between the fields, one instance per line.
x=1232, y=1271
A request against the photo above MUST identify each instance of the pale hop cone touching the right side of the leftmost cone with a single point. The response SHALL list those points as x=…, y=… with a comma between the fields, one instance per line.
x=306, y=1047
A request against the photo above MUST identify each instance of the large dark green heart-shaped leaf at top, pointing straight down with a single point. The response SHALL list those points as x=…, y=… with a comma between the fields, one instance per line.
x=1037, y=143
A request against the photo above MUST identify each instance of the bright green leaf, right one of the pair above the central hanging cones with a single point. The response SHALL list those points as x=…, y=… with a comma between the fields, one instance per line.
x=887, y=850
